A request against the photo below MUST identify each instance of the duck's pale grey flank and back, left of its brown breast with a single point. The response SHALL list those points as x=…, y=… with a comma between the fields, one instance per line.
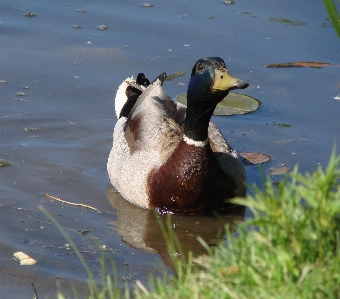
x=143, y=141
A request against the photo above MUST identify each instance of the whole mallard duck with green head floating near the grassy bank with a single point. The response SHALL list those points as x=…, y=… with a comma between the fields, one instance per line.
x=170, y=157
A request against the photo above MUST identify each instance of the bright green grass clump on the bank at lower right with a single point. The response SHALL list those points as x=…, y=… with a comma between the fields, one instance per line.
x=290, y=249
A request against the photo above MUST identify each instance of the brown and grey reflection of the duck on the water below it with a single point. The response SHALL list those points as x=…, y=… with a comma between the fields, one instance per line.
x=140, y=228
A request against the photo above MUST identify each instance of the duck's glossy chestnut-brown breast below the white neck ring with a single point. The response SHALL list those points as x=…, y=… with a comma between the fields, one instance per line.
x=189, y=181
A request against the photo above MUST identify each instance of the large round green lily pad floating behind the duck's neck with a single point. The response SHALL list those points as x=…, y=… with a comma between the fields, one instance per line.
x=233, y=103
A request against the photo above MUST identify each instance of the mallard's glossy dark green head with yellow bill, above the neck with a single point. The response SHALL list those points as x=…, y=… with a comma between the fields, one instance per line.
x=210, y=81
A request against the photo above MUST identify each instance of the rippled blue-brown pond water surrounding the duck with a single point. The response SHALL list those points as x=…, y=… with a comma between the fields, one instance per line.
x=59, y=72
